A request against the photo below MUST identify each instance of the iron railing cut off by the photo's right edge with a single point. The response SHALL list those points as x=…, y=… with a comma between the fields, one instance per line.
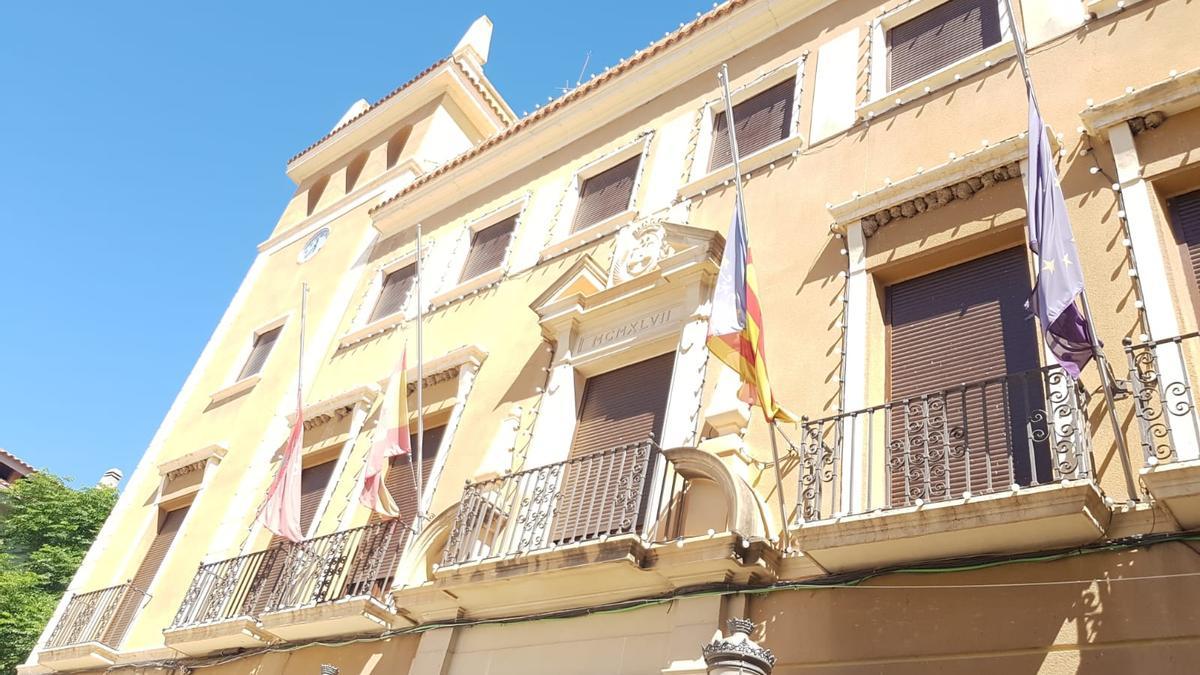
x=1163, y=399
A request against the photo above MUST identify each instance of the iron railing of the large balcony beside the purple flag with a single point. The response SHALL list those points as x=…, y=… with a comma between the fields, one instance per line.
x=1019, y=429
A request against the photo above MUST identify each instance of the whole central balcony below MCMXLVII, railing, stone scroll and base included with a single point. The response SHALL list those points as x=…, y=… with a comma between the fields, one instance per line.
x=621, y=513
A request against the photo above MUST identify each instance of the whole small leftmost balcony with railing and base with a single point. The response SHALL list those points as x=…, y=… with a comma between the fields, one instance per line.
x=92, y=628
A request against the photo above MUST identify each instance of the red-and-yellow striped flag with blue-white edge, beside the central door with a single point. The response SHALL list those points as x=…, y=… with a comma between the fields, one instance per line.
x=735, y=326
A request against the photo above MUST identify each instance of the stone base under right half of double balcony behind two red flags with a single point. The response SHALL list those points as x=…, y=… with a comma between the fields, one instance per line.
x=341, y=618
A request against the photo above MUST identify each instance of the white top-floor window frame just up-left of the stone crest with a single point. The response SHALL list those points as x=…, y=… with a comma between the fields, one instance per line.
x=563, y=238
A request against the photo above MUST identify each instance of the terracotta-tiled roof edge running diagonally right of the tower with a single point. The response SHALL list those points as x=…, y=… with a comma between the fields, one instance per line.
x=575, y=94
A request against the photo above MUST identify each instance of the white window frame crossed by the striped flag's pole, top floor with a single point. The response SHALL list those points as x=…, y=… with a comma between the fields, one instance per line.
x=701, y=180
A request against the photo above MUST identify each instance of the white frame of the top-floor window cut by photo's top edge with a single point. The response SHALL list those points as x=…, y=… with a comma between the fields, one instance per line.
x=881, y=99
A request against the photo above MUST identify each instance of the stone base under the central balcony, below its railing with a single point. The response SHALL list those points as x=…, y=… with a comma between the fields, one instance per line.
x=574, y=576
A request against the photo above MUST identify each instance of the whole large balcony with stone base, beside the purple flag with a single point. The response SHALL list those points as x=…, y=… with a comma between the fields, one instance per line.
x=999, y=465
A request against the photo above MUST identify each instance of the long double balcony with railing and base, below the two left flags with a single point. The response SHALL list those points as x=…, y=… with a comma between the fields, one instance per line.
x=329, y=586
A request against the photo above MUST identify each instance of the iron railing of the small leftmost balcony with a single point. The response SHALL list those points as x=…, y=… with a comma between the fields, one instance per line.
x=98, y=617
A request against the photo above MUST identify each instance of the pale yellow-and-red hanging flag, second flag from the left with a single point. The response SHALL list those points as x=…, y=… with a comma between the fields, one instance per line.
x=391, y=440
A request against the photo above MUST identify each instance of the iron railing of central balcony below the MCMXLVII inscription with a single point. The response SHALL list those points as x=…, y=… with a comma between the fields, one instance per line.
x=629, y=489
